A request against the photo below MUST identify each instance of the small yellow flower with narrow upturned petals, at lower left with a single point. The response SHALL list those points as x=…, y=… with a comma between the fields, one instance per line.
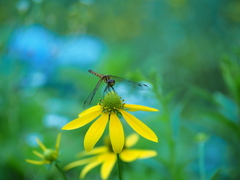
x=48, y=155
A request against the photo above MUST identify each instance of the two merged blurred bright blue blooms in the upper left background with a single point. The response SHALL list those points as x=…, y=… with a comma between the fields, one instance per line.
x=44, y=49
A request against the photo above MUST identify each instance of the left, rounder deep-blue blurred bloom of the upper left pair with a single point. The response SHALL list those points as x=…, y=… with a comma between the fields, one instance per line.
x=34, y=43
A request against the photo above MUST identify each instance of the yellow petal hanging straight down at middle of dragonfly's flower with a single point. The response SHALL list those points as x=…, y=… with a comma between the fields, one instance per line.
x=116, y=133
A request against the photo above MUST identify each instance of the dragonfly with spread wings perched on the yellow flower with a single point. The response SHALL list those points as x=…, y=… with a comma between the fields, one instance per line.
x=110, y=82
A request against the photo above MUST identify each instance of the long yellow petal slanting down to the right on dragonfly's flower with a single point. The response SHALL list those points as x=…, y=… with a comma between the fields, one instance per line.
x=139, y=126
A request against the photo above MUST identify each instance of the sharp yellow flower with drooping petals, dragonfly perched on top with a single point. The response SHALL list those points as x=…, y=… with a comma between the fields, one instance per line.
x=109, y=110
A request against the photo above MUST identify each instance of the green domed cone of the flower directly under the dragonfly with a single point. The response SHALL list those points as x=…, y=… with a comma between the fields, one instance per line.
x=112, y=102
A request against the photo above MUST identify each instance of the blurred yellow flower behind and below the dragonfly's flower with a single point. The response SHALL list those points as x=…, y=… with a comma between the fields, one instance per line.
x=105, y=156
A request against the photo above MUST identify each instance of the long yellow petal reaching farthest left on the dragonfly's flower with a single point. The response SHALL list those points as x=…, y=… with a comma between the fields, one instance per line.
x=81, y=121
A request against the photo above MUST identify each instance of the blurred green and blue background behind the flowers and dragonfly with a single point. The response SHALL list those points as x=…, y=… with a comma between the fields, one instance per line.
x=187, y=51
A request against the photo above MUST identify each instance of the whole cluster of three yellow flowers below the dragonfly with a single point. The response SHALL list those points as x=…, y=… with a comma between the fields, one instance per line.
x=109, y=110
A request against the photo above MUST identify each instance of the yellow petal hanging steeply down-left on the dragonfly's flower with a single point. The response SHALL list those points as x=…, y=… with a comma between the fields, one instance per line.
x=95, y=132
